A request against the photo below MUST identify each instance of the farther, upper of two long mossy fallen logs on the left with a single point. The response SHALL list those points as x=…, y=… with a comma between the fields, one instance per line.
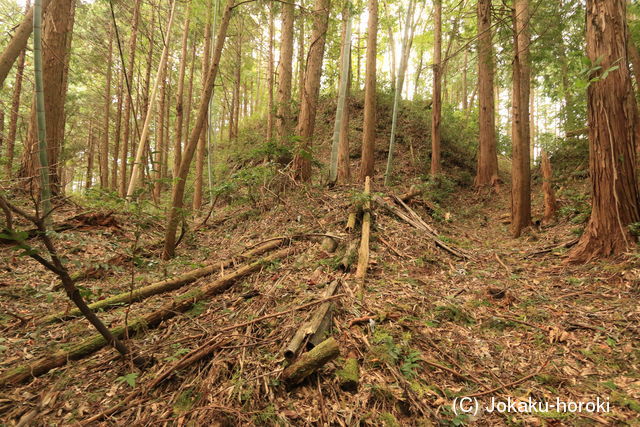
x=168, y=285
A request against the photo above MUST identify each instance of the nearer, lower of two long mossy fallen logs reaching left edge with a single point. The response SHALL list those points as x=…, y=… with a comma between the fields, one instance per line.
x=180, y=304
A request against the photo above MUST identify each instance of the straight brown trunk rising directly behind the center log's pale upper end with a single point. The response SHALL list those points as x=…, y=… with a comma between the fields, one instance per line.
x=369, y=124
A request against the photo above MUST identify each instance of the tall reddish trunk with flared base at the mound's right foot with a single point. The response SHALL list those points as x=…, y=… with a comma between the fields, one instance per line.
x=487, y=173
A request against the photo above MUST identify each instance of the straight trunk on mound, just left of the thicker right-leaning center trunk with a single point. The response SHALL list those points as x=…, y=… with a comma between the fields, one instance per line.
x=283, y=115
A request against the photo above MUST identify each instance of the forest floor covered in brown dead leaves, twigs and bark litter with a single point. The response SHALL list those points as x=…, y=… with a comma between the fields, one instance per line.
x=509, y=322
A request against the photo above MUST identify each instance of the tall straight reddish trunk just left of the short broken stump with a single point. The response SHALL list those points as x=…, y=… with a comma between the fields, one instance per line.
x=521, y=174
